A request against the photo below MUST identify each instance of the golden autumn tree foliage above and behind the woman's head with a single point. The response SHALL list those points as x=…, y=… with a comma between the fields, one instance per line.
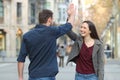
x=100, y=13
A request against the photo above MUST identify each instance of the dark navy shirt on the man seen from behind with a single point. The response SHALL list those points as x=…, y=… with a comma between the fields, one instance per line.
x=40, y=45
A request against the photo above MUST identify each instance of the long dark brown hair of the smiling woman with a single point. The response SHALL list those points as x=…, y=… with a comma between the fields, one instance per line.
x=93, y=30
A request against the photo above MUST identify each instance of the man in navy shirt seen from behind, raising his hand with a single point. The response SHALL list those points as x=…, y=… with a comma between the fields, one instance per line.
x=39, y=44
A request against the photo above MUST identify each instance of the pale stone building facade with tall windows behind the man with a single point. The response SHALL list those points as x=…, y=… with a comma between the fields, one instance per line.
x=19, y=16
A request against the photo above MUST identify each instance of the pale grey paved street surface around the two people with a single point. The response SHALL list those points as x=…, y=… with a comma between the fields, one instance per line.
x=8, y=70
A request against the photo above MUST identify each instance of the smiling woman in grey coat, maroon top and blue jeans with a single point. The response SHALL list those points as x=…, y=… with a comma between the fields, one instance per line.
x=87, y=53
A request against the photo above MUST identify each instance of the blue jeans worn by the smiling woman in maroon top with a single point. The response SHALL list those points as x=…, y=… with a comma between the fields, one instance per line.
x=79, y=76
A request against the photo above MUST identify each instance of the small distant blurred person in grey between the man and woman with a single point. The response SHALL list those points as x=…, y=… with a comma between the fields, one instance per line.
x=61, y=55
